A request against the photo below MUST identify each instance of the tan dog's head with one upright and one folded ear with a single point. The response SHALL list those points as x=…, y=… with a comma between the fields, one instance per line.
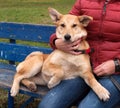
x=69, y=27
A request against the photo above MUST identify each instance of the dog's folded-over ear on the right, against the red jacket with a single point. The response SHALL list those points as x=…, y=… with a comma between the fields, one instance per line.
x=84, y=20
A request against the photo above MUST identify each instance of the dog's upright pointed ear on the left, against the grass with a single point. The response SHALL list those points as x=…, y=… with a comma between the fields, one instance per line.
x=54, y=14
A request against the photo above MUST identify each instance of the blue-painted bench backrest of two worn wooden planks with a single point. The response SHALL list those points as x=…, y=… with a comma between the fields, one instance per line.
x=13, y=48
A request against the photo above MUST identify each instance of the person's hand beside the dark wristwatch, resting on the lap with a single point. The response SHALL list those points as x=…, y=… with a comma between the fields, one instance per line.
x=106, y=68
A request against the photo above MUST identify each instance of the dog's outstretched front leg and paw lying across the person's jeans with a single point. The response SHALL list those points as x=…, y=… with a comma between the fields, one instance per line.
x=101, y=92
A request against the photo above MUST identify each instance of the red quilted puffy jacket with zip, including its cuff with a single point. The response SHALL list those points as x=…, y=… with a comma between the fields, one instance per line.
x=103, y=31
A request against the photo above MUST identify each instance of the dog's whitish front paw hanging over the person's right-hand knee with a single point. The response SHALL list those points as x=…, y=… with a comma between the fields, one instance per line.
x=104, y=94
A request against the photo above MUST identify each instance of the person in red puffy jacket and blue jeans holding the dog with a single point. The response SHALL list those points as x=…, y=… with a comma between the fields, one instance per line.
x=104, y=37
